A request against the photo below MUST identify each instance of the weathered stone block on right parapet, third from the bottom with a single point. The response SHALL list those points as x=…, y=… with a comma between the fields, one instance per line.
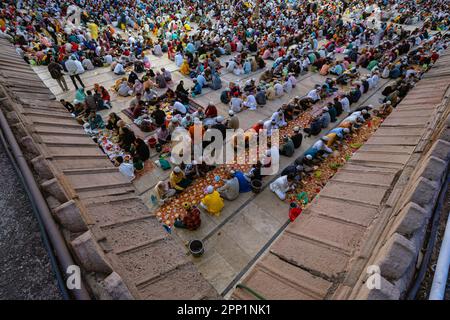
x=411, y=218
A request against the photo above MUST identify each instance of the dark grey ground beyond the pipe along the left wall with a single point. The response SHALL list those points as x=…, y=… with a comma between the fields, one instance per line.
x=25, y=270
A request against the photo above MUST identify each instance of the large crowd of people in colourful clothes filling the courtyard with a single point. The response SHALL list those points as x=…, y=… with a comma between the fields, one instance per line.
x=352, y=44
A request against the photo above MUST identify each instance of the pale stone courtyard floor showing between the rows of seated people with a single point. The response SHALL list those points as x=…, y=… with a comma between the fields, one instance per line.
x=245, y=225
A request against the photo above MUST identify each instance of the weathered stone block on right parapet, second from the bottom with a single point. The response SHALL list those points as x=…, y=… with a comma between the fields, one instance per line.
x=395, y=256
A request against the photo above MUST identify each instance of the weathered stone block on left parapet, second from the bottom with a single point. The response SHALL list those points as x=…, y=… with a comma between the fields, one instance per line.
x=90, y=254
